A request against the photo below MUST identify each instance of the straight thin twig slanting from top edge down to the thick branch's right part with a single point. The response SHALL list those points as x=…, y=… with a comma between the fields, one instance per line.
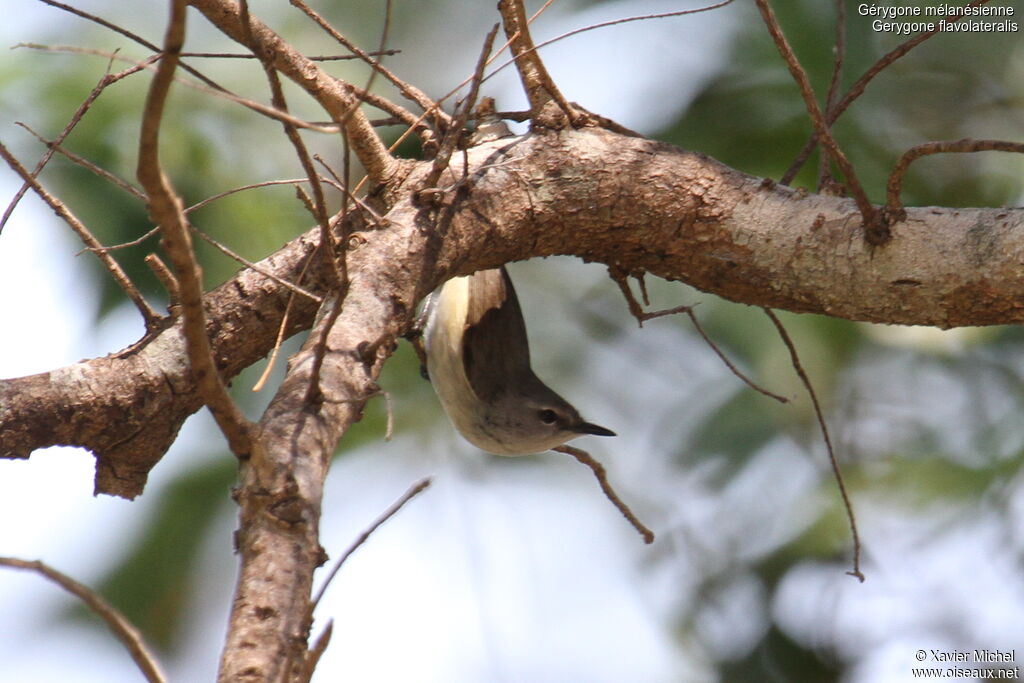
x=876, y=230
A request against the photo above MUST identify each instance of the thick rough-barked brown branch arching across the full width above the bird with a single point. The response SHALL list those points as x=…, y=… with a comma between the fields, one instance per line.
x=628, y=202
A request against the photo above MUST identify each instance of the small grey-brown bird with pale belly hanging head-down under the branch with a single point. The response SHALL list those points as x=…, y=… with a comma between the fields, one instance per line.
x=479, y=363
